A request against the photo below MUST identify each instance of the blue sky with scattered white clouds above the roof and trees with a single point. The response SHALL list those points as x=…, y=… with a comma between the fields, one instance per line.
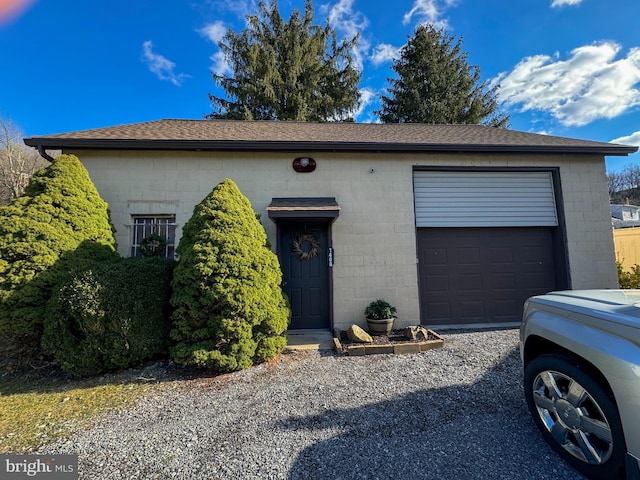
x=565, y=67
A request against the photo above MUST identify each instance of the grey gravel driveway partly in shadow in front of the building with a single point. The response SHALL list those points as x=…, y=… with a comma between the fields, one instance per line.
x=451, y=413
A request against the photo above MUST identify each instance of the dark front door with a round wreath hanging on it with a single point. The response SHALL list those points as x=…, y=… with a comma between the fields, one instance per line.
x=303, y=248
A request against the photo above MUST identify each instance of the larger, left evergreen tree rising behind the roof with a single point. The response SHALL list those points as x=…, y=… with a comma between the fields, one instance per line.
x=287, y=71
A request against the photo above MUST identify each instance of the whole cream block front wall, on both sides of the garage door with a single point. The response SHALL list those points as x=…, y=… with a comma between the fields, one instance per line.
x=374, y=236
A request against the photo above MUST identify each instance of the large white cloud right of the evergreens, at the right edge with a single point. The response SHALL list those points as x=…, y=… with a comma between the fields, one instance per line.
x=589, y=85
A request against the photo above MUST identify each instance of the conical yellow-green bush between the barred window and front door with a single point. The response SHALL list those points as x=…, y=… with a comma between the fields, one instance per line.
x=229, y=308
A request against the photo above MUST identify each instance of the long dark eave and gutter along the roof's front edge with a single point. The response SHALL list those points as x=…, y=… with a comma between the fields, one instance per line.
x=293, y=146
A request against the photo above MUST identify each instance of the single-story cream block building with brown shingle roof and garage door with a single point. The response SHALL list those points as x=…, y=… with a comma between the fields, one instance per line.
x=453, y=224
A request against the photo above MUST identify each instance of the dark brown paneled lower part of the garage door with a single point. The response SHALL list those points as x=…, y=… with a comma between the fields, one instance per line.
x=482, y=275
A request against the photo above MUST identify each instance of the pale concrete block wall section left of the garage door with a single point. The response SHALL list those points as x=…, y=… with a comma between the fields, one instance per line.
x=373, y=237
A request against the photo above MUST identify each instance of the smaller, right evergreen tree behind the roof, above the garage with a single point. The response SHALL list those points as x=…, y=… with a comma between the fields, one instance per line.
x=435, y=84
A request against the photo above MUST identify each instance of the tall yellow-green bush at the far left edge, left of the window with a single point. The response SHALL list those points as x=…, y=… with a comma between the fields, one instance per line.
x=59, y=210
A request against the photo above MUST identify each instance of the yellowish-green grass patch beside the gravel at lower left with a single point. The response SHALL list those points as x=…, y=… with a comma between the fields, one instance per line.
x=38, y=409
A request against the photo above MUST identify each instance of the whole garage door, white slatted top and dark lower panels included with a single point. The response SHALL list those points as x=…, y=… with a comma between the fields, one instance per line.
x=487, y=240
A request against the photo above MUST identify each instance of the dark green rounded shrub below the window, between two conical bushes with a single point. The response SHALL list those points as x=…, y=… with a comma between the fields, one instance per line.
x=110, y=315
